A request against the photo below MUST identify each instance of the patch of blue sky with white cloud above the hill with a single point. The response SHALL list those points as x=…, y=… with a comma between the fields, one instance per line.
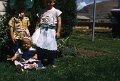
x=82, y=3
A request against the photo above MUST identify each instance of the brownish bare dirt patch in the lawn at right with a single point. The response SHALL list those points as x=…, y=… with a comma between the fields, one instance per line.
x=91, y=53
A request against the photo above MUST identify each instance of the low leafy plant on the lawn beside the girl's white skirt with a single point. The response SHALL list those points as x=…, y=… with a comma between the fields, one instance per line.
x=65, y=49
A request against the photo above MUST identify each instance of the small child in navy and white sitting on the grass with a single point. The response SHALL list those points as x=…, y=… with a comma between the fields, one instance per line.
x=26, y=57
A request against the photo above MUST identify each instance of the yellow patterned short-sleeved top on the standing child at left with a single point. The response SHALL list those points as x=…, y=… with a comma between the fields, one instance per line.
x=20, y=27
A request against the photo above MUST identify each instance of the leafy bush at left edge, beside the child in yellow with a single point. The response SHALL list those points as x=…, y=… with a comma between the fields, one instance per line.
x=4, y=36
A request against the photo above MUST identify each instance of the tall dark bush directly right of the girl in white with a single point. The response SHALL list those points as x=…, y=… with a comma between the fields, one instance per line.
x=68, y=7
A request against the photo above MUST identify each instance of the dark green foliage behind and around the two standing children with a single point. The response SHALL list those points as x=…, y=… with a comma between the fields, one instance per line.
x=68, y=7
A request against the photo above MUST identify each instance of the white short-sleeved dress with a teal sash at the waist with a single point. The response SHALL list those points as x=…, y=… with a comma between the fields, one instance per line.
x=45, y=37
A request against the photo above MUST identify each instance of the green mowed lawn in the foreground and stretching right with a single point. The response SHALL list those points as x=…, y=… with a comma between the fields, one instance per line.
x=93, y=61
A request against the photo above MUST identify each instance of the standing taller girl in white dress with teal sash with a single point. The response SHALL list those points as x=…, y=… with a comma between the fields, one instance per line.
x=45, y=36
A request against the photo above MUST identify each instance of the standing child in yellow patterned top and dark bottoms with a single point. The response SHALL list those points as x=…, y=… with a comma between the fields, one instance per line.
x=19, y=28
